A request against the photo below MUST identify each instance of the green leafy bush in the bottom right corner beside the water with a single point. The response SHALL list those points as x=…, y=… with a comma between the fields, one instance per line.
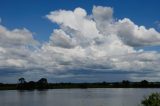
x=152, y=100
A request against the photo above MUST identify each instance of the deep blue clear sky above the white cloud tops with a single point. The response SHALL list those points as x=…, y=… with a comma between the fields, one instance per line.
x=31, y=13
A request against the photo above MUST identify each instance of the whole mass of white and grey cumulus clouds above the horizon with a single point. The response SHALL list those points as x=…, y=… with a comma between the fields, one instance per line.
x=95, y=43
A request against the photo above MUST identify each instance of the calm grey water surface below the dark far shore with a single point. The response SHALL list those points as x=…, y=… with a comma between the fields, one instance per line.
x=75, y=97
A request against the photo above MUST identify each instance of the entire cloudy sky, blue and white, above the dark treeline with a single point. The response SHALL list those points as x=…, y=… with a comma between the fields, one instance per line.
x=79, y=40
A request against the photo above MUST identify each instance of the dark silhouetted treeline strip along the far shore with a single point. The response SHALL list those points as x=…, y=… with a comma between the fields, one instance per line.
x=43, y=84
